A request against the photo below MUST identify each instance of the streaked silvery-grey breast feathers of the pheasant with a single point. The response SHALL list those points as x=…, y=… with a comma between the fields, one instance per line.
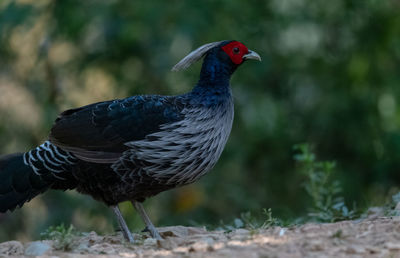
x=183, y=151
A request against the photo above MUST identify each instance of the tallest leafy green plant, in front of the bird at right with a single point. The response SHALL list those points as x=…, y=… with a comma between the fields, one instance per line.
x=327, y=204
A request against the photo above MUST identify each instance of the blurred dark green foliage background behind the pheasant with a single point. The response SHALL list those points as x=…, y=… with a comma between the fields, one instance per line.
x=330, y=77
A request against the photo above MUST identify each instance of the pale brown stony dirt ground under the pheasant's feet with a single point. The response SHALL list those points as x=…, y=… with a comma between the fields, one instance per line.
x=373, y=237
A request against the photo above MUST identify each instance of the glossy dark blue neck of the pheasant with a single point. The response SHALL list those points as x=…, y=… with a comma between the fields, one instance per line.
x=213, y=86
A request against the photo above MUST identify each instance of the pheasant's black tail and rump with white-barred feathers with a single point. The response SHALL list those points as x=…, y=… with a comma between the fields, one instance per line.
x=25, y=175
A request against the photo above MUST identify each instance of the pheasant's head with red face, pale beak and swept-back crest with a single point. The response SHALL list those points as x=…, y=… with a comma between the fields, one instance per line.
x=229, y=52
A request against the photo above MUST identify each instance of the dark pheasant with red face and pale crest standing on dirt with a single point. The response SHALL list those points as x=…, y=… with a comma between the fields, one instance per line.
x=133, y=148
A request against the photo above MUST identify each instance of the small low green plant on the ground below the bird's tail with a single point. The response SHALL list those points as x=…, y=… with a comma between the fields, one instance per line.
x=63, y=237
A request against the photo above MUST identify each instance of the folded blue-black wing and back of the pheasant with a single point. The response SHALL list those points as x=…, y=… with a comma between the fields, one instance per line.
x=98, y=132
